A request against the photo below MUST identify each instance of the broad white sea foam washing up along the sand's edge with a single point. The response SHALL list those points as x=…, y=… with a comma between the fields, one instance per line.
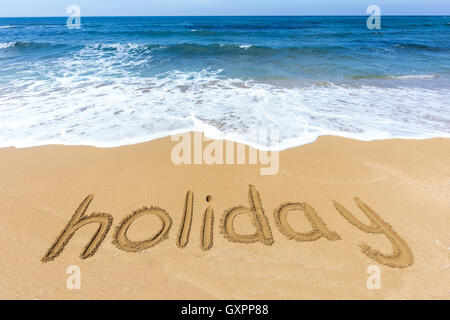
x=94, y=100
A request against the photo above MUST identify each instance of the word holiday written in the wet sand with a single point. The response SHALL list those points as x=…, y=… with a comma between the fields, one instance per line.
x=401, y=257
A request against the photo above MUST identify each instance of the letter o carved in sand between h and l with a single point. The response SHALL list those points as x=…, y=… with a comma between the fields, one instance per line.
x=121, y=239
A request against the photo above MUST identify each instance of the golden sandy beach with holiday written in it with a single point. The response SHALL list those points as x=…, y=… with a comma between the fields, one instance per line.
x=404, y=182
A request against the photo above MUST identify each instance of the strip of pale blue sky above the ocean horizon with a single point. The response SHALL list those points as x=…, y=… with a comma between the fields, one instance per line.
x=27, y=8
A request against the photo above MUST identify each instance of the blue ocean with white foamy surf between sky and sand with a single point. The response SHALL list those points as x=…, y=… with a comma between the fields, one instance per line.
x=124, y=80
